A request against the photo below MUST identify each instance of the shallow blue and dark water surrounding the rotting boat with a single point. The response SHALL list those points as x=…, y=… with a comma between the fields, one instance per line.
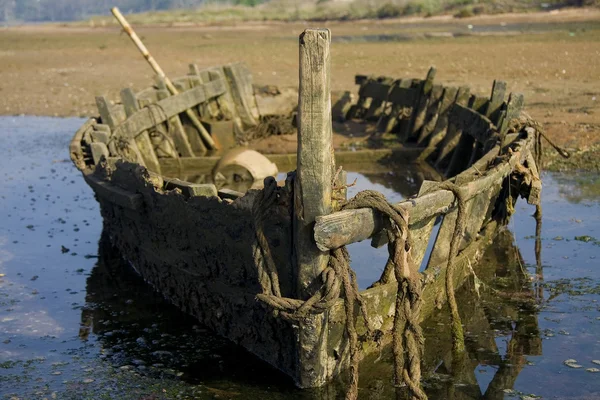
x=77, y=323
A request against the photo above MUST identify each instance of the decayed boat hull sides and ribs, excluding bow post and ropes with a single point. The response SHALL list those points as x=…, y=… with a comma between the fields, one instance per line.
x=198, y=245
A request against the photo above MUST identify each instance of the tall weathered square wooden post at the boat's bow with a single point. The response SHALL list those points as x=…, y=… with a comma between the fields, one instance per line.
x=313, y=195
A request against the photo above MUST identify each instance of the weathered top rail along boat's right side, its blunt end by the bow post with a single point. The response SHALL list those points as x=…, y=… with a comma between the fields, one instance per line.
x=349, y=226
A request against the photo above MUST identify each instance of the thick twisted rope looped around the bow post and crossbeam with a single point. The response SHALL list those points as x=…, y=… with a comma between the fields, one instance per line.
x=407, y=335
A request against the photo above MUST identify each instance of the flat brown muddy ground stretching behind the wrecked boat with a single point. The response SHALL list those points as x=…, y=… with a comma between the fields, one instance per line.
x=553, y=58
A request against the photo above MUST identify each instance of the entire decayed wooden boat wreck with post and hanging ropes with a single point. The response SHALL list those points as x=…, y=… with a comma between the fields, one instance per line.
x=252, y=243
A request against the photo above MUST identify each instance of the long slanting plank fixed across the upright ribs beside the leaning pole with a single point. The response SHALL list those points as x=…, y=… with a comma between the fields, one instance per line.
x=168, y=107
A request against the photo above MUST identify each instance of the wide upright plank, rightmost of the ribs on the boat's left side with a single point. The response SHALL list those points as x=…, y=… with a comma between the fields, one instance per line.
x=242, y=92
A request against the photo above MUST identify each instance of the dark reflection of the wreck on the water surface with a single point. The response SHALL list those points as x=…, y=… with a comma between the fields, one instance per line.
x=498, y=303
